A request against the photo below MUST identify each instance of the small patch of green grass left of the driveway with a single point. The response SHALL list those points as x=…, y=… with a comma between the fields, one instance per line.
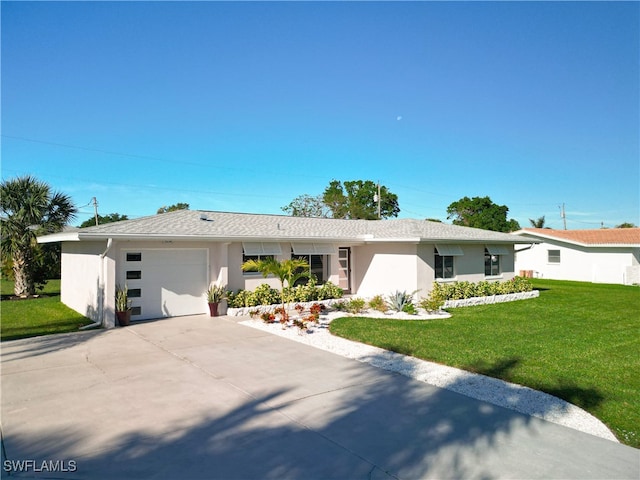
x=37, y=316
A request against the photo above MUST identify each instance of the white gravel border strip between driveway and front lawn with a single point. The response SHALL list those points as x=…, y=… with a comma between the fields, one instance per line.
x=498, y=392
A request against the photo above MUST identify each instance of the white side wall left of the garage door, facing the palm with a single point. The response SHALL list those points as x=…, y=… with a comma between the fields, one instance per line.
x=80, y=285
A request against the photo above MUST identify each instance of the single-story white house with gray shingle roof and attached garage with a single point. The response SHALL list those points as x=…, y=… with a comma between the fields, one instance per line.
x=168, y=260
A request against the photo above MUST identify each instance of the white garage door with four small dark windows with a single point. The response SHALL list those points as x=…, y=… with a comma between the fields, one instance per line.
x=165, y=282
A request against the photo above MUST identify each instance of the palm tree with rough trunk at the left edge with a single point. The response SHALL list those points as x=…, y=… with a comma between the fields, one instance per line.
x=29, y=208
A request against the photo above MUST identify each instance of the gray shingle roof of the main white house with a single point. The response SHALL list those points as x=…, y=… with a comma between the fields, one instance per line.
x=207, y=225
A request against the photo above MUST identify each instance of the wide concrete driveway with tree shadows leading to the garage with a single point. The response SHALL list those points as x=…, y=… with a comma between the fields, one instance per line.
x=200, y=397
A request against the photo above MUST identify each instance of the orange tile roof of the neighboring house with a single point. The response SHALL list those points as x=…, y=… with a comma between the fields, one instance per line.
x=601, y=236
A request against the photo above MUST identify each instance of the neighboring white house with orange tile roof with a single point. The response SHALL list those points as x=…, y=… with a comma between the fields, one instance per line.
x=600, y=256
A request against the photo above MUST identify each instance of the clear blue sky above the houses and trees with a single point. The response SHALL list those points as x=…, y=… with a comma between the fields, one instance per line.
x=244, y=106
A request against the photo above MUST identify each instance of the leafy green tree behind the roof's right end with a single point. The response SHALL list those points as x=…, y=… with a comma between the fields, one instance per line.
x=481, y=212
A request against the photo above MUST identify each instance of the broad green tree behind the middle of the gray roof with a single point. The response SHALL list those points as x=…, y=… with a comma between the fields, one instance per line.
x=358, y=199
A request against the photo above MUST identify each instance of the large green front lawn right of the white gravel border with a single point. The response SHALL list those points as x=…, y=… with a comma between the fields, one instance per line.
x=578, y=341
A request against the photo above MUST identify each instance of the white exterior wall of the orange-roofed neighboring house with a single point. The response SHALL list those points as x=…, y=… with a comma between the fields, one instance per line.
x=586, y=264
